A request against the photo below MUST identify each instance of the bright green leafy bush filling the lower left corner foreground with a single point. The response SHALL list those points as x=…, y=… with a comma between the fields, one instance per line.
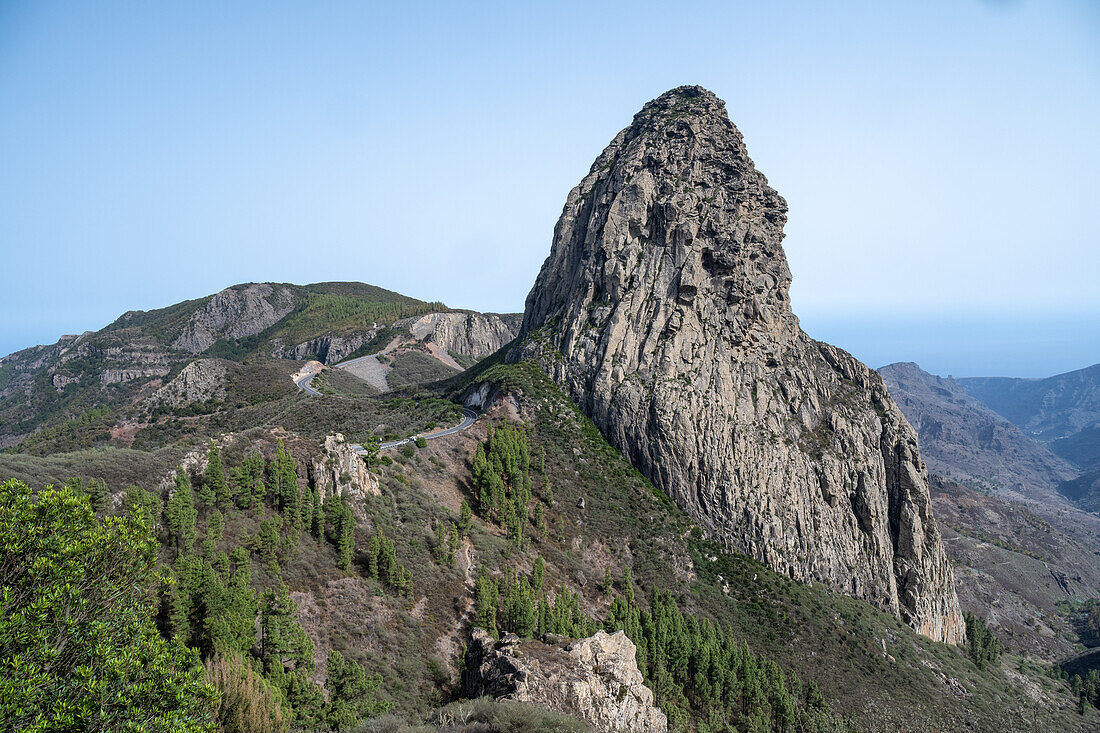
x=79, y=648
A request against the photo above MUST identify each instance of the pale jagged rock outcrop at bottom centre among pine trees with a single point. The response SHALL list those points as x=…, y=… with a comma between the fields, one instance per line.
x=596, y=680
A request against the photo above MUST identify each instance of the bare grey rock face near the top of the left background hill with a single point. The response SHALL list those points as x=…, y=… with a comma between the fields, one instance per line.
x=236, y=313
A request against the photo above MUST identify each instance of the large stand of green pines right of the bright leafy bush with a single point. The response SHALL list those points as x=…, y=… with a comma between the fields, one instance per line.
x=211, y=604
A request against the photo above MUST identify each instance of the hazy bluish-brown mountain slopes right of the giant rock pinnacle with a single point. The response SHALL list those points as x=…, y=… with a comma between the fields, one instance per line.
x=1019, y=520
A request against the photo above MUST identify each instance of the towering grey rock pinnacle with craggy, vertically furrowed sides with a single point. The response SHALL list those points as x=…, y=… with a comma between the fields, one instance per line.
x=664, y=311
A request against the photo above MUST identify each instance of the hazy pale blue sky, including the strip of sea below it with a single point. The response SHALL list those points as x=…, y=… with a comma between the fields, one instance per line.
x=941, y=160
